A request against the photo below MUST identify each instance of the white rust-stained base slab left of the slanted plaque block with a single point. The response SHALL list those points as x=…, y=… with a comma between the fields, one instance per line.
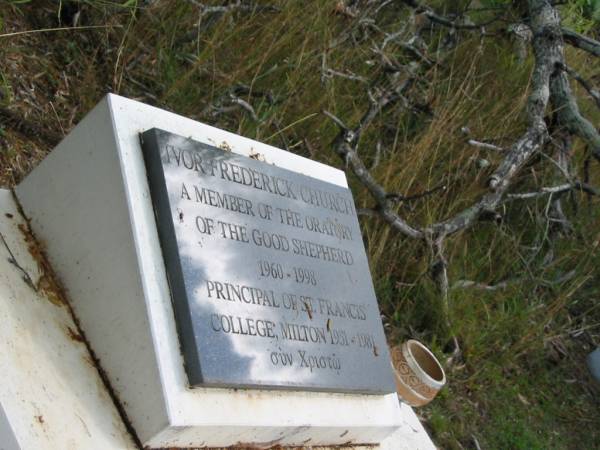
x=51, y=396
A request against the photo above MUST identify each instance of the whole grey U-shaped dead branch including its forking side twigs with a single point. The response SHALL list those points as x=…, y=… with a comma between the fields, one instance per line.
x=548, y=84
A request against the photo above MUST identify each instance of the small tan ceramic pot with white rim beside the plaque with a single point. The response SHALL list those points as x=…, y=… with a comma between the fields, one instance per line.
x=419, y=375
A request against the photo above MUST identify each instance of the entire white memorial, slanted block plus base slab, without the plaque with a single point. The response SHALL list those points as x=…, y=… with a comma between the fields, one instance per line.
x=89, y=204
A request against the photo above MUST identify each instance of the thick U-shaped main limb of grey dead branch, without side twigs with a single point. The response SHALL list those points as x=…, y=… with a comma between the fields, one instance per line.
x=547, y=50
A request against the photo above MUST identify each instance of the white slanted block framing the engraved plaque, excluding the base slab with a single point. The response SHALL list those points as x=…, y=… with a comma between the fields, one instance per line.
x=96, y=218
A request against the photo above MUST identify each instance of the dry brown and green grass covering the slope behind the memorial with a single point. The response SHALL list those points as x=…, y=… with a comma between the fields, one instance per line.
x=525, y=326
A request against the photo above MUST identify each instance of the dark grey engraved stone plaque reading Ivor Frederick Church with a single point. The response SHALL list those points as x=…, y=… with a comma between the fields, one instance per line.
x=268, y=274
